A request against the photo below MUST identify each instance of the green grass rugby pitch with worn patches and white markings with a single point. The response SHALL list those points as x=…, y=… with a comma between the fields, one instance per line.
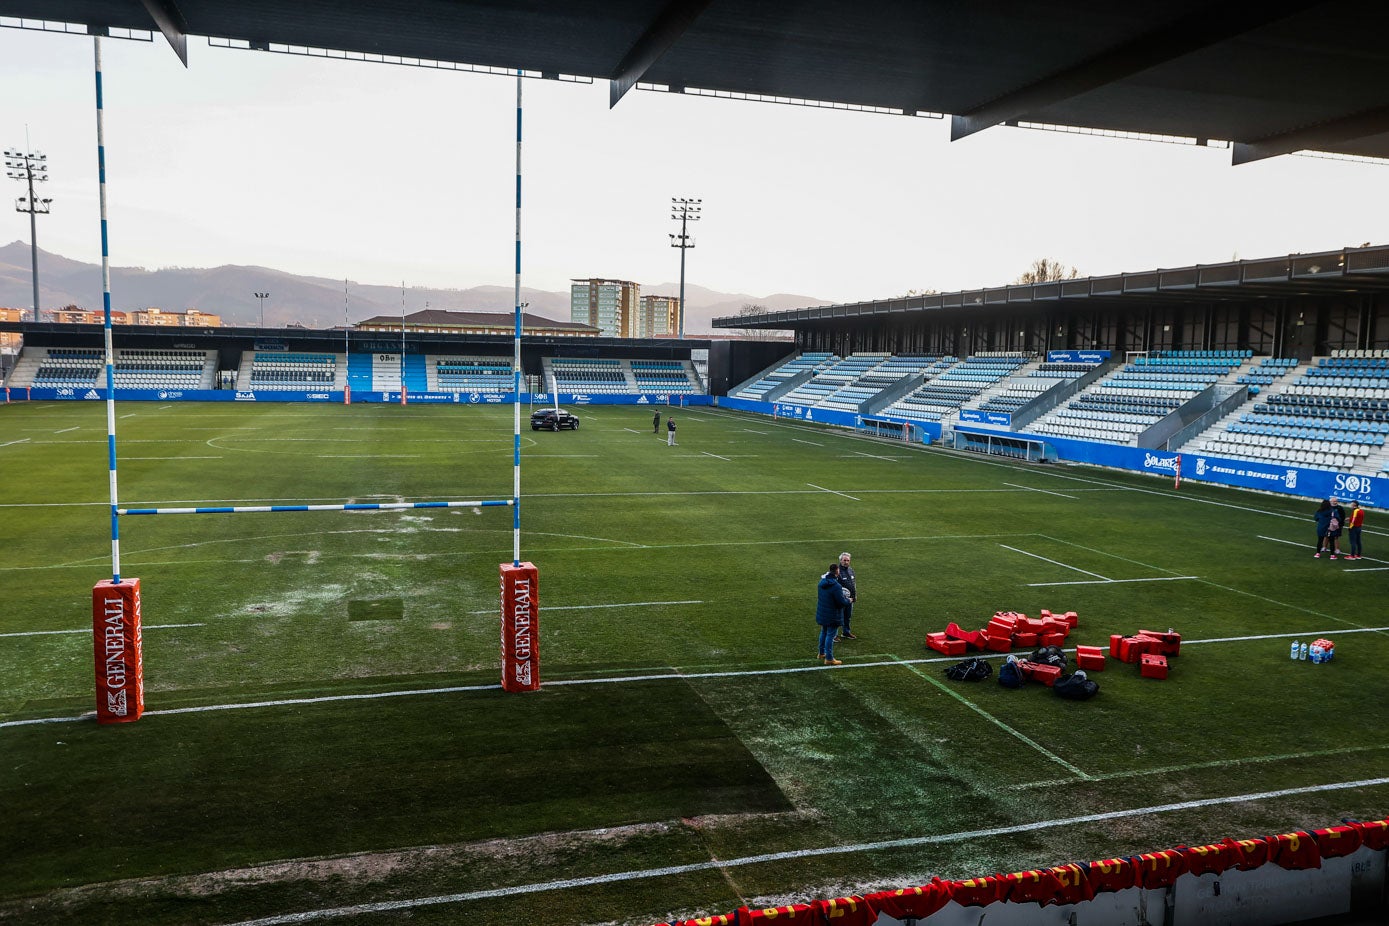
x=694, y=564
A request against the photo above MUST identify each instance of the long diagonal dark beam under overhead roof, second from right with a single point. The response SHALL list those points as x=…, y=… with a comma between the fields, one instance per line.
x=1194, y=33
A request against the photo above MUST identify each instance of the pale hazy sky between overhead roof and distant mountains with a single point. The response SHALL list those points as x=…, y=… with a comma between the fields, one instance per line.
x=384, y=174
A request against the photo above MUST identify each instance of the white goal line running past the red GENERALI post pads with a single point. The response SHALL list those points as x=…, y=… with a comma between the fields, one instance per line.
x=674, y=674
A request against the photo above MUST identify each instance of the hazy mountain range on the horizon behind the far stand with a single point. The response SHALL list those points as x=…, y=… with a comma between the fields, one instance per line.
x=313, y=302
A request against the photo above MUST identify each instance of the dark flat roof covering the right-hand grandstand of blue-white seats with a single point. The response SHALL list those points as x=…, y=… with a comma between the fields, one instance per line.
x=1356, y=270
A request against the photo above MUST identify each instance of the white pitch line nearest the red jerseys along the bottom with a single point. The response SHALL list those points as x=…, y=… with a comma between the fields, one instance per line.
x=569, y=884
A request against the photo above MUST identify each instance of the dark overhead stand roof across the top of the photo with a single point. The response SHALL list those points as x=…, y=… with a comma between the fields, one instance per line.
x=1272, y=76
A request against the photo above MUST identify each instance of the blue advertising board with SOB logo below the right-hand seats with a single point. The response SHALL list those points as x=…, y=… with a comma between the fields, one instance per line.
x=1223, y=471
